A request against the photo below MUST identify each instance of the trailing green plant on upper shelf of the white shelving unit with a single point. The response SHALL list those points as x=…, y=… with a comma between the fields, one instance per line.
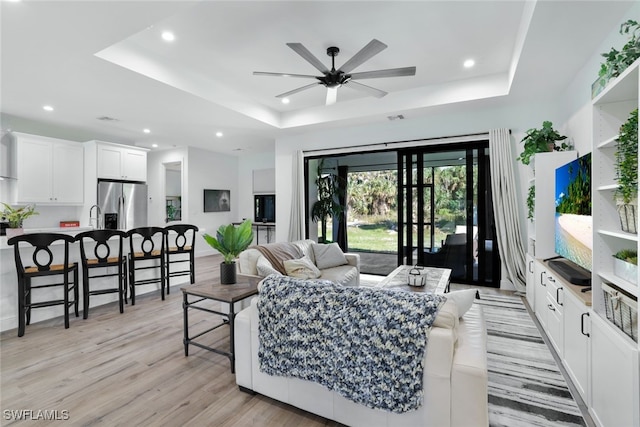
x=626, y=160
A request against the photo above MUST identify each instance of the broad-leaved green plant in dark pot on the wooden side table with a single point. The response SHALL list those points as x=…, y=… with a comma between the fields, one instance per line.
x=230, y=241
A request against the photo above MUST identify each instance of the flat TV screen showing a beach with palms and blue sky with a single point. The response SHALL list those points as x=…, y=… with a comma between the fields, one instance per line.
x=574, y=223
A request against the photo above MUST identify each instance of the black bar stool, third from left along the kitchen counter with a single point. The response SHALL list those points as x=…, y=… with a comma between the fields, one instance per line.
x=143, y=255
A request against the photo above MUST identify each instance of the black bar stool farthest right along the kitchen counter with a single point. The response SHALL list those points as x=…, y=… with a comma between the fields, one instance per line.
x=179, y=245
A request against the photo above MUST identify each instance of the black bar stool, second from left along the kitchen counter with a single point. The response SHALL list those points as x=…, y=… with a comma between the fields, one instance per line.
x=100, y=258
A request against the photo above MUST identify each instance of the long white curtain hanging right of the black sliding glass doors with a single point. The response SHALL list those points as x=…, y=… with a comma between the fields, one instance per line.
x=505, y=208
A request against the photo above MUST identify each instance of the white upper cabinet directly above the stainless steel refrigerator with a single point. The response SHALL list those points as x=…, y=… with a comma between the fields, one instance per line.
x=121, y=162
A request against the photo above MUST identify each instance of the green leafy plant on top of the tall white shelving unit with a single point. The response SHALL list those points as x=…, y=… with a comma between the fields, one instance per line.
x=618, y=61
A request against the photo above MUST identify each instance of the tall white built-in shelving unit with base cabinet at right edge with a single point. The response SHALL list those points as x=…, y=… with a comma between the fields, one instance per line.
x=615, y=363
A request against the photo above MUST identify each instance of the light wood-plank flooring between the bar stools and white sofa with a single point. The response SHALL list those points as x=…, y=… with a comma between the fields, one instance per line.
x=130, y=369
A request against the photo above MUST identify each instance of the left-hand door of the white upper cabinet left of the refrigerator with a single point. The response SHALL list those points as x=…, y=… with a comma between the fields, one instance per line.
x=34, y=170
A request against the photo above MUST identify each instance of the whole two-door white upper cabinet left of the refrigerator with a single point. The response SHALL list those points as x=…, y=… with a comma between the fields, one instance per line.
x=49, y=170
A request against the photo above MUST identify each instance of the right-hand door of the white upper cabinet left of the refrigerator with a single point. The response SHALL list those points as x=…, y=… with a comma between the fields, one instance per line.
x=68, y=174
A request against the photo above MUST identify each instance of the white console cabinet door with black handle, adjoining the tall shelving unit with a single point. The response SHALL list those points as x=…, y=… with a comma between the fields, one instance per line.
x=576, y=343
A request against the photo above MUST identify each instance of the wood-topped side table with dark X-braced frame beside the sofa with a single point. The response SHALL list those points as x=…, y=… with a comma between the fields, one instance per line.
x=194, y=295
